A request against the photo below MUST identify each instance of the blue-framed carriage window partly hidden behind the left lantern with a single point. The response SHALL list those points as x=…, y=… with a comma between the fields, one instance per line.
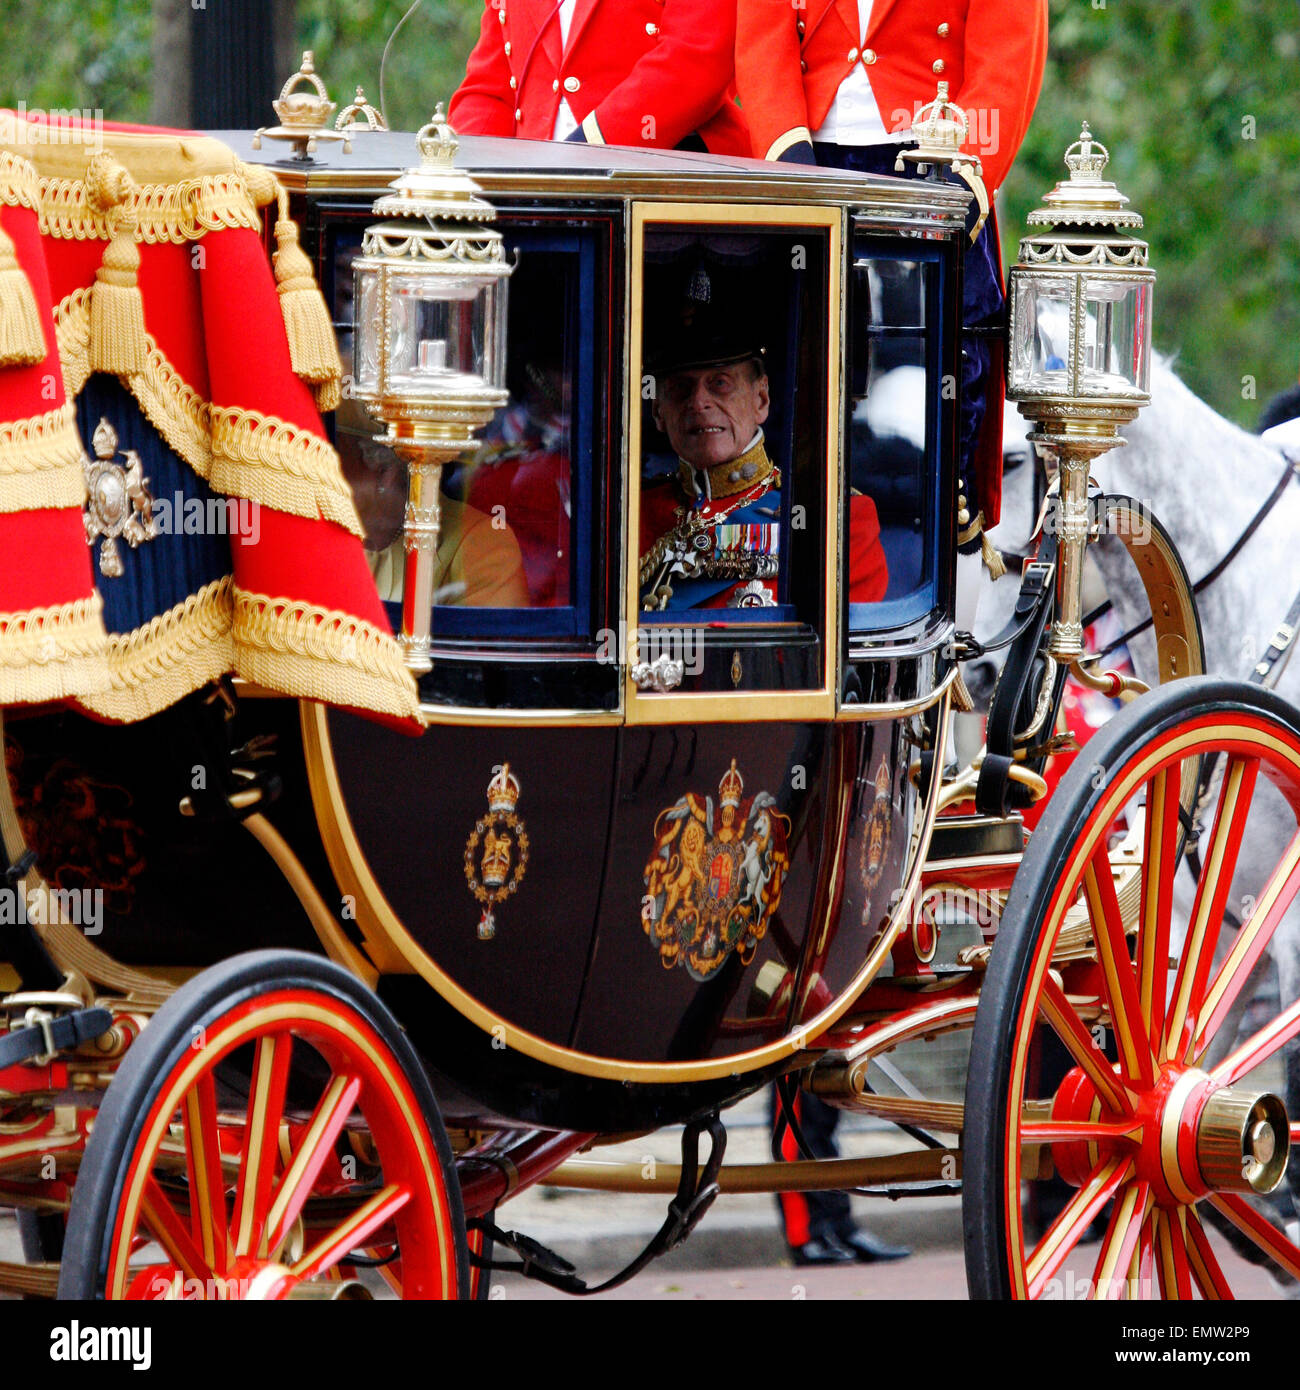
x=512, y=551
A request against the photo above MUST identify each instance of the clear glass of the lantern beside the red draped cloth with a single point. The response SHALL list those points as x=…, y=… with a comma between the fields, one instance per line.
x=440, y=334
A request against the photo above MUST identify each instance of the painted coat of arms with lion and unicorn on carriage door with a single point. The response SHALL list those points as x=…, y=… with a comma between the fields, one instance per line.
x=714, y=881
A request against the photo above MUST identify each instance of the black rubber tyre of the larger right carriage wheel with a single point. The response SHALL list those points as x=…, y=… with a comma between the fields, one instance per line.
x=992, y=1042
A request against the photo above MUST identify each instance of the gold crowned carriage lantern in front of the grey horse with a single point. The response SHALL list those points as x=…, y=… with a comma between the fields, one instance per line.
x=1081, y=348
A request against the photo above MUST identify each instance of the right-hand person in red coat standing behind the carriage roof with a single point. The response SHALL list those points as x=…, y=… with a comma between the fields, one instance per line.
x=839, y=83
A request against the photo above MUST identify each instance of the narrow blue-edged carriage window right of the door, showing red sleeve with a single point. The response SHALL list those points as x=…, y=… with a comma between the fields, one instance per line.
x=893, y=426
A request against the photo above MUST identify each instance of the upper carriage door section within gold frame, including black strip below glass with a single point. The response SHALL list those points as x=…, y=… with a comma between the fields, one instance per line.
x=736, y=480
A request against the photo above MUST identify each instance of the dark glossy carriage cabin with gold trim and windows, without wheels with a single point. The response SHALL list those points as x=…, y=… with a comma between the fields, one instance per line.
x=637, y=856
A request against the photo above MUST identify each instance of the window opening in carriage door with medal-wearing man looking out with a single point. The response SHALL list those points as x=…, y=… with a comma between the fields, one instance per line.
x=732, y=461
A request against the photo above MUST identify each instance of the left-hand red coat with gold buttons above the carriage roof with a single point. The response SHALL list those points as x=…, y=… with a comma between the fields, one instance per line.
x=642, y=73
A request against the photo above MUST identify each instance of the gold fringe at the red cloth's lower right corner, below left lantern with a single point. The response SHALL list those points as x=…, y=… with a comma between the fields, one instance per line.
x=322, y=654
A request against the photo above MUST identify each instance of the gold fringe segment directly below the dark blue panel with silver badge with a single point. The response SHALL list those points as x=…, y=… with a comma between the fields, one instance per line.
x=170, y=657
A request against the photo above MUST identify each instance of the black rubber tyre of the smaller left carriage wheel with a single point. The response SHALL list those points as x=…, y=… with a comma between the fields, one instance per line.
x=155, y=1054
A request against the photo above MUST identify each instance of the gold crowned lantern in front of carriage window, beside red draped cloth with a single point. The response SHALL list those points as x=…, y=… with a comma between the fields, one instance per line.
x=430, y=343
